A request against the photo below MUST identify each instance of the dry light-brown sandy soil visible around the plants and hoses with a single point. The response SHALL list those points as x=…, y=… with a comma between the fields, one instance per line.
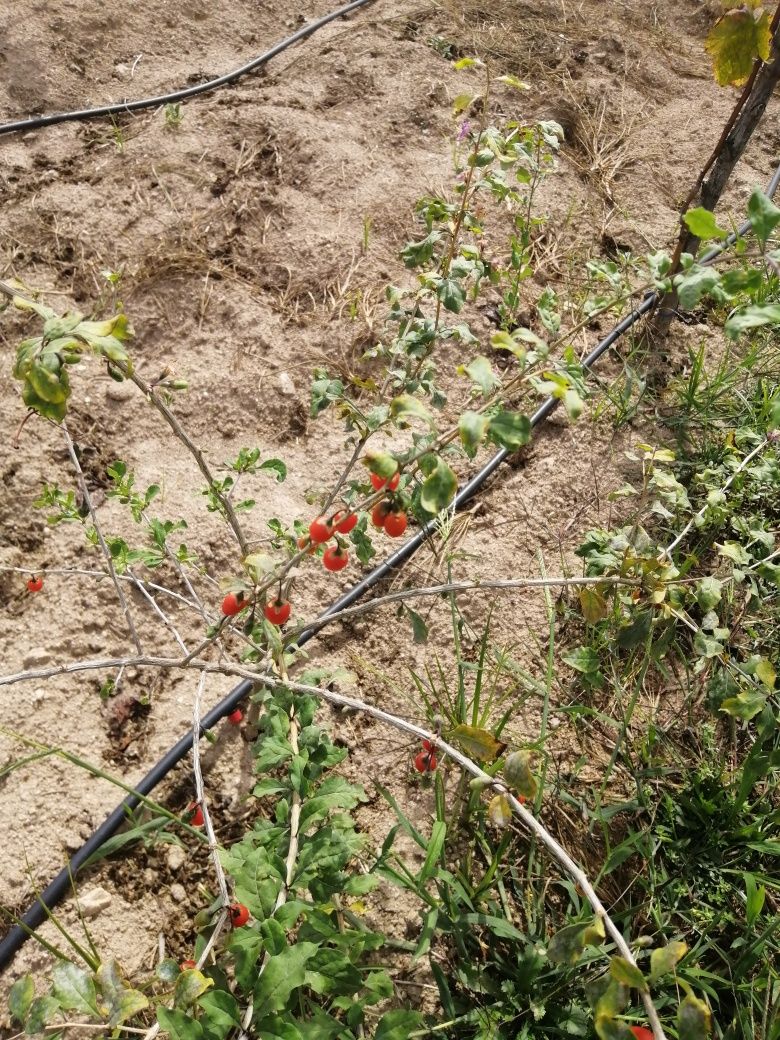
x=239, y=237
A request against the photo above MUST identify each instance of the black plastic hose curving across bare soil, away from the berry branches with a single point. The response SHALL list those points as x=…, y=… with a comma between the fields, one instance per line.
x=191, y=92
